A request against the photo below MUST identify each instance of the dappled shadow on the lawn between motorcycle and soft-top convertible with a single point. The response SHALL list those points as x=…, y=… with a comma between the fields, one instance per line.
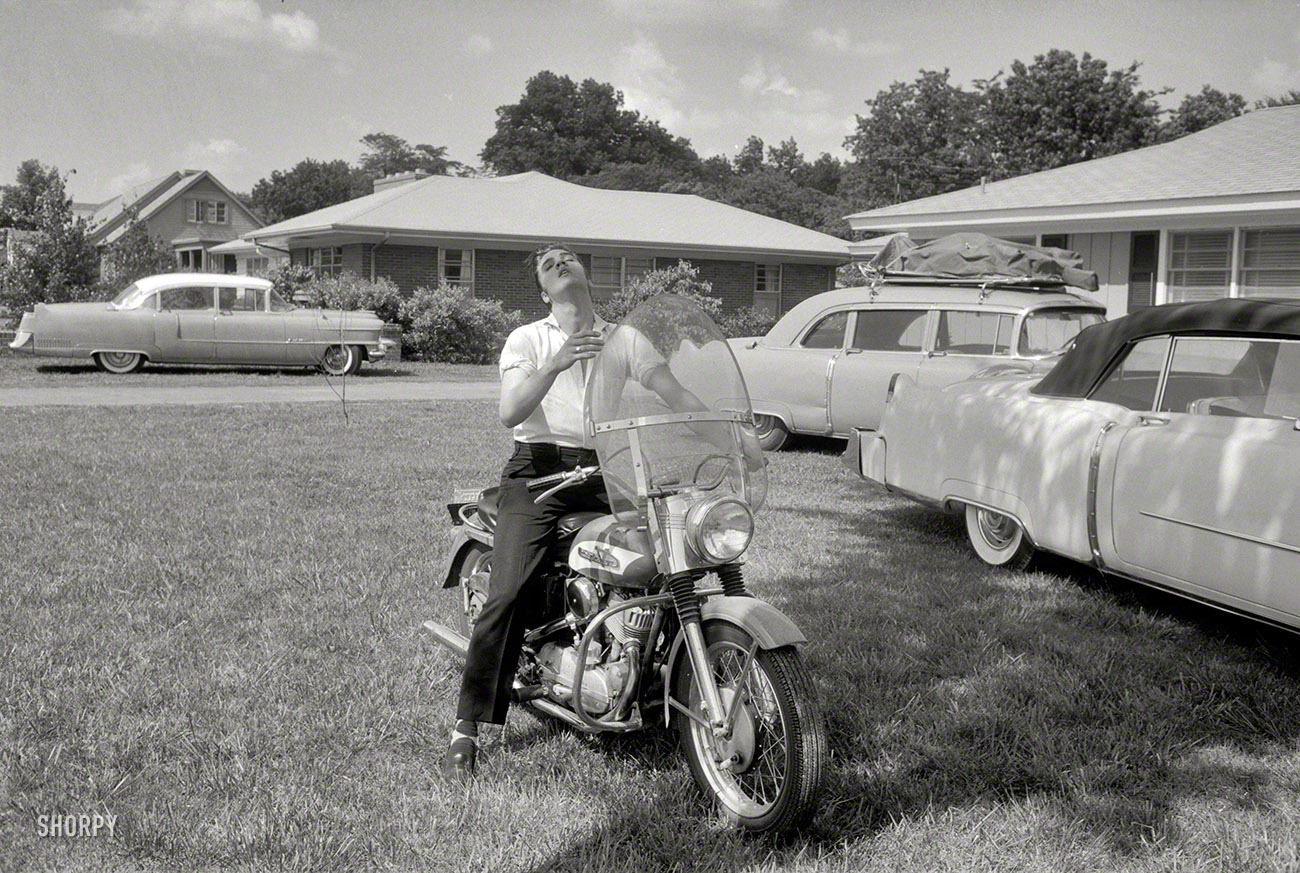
x=1104, y=707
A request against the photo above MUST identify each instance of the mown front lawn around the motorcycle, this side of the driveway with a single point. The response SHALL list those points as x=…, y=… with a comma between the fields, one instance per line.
x=211, y=631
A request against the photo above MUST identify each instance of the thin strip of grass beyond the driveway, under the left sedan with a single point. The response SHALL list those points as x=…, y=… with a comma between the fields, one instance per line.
x=20, y=371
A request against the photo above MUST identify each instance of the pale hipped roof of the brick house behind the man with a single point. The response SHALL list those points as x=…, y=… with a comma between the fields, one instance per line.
x=535, y=209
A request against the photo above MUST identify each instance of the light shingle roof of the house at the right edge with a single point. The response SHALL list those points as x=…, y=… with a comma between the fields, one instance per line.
x=1255, y=154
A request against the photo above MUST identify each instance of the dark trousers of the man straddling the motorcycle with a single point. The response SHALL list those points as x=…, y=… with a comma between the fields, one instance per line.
x=522, y=548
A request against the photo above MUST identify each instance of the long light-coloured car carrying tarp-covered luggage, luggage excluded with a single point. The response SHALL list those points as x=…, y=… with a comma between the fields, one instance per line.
x=824, y=368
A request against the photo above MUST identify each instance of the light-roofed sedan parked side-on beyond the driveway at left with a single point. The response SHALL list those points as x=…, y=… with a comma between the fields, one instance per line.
x=202, y=319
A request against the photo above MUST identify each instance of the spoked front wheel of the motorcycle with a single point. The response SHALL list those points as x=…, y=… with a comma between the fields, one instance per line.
x=768, y=772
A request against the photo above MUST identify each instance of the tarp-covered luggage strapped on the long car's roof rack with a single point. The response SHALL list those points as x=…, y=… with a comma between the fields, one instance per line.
x=977, y=259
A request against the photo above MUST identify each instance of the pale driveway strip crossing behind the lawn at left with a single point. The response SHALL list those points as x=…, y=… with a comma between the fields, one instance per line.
x=353, y=390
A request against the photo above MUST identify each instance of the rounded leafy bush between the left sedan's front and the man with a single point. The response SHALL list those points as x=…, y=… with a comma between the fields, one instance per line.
x=449, y=324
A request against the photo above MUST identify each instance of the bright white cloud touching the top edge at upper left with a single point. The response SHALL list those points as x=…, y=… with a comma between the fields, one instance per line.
x=241, y=21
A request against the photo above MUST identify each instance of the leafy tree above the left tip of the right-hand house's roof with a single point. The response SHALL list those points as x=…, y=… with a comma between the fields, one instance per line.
x=917, y=140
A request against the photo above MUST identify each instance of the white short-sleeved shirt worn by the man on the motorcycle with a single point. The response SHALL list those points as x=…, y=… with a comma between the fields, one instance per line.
x=558, y=419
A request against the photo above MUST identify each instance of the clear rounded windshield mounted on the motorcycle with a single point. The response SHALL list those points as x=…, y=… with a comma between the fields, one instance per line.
x=670, y=411
